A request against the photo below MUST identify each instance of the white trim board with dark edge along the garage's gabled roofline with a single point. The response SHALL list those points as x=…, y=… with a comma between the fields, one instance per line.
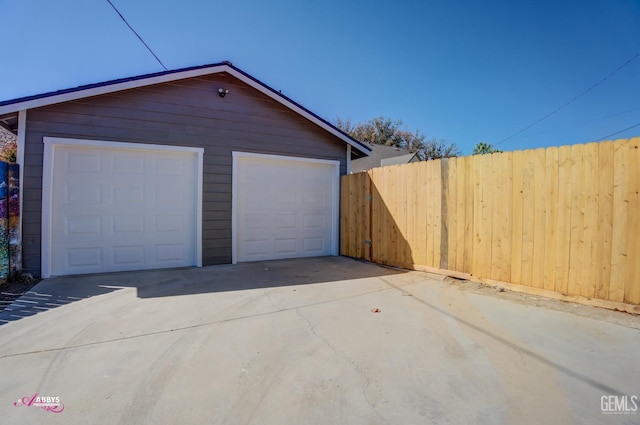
x=46, y=99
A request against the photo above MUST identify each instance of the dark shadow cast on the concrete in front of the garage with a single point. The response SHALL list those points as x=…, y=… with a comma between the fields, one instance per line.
x=59, y=291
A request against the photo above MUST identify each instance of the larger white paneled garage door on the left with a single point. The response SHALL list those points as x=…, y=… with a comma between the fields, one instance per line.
x=115, y=209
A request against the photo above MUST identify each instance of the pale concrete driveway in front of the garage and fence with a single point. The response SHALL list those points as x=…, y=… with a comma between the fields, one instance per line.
x=296, y=342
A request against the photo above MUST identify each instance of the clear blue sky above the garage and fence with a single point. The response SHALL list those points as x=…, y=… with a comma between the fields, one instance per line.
x=466, y=71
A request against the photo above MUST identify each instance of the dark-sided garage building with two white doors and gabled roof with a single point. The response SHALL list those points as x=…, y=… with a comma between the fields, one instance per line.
x=197, y=166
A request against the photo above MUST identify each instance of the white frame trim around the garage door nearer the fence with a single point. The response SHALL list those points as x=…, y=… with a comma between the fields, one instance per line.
x=335, y=199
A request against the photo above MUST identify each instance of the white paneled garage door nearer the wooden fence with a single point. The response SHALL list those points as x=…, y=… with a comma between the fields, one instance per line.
x=284, y=207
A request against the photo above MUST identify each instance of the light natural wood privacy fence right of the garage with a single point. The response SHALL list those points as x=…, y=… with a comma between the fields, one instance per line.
x=564, y=219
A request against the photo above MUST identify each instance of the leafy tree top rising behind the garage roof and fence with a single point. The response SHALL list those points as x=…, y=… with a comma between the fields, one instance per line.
x=388, y=132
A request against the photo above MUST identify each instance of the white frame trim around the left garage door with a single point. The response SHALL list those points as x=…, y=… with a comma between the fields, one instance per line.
x=50, y=143
